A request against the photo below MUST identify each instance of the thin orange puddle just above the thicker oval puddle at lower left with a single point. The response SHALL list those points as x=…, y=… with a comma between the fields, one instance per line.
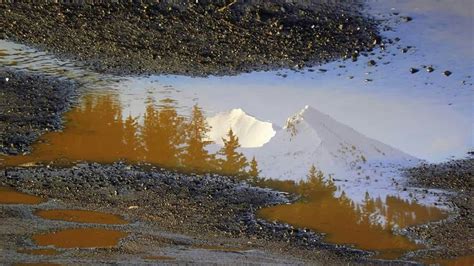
x=81, y=216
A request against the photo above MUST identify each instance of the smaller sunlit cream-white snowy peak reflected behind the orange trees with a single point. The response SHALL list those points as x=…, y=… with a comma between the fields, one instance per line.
x=250, y=131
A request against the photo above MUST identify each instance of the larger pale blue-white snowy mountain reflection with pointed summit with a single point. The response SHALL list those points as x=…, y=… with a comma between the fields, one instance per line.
x=356, y=162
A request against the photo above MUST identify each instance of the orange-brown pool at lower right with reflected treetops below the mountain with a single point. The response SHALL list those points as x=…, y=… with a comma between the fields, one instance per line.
x=367, y=226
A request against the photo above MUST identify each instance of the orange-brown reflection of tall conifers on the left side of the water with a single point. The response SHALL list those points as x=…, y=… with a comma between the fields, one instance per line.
x=96, y=131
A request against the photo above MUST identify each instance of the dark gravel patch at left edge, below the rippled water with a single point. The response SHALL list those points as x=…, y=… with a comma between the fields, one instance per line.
x=30, y=104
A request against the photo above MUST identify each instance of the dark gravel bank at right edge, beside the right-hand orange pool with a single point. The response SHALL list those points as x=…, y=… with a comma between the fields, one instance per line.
x=453, y=237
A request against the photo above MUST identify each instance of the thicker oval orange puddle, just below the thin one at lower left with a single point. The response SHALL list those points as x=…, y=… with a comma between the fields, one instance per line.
x=80, y=238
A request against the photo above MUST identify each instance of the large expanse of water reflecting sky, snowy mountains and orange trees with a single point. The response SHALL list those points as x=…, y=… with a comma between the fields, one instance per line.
x=426, y=115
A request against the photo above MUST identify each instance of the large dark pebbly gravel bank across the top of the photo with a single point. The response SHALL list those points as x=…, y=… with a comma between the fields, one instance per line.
x=192, y=37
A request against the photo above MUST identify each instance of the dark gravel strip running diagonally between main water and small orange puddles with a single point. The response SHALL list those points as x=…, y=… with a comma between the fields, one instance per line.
x=182, y=203
